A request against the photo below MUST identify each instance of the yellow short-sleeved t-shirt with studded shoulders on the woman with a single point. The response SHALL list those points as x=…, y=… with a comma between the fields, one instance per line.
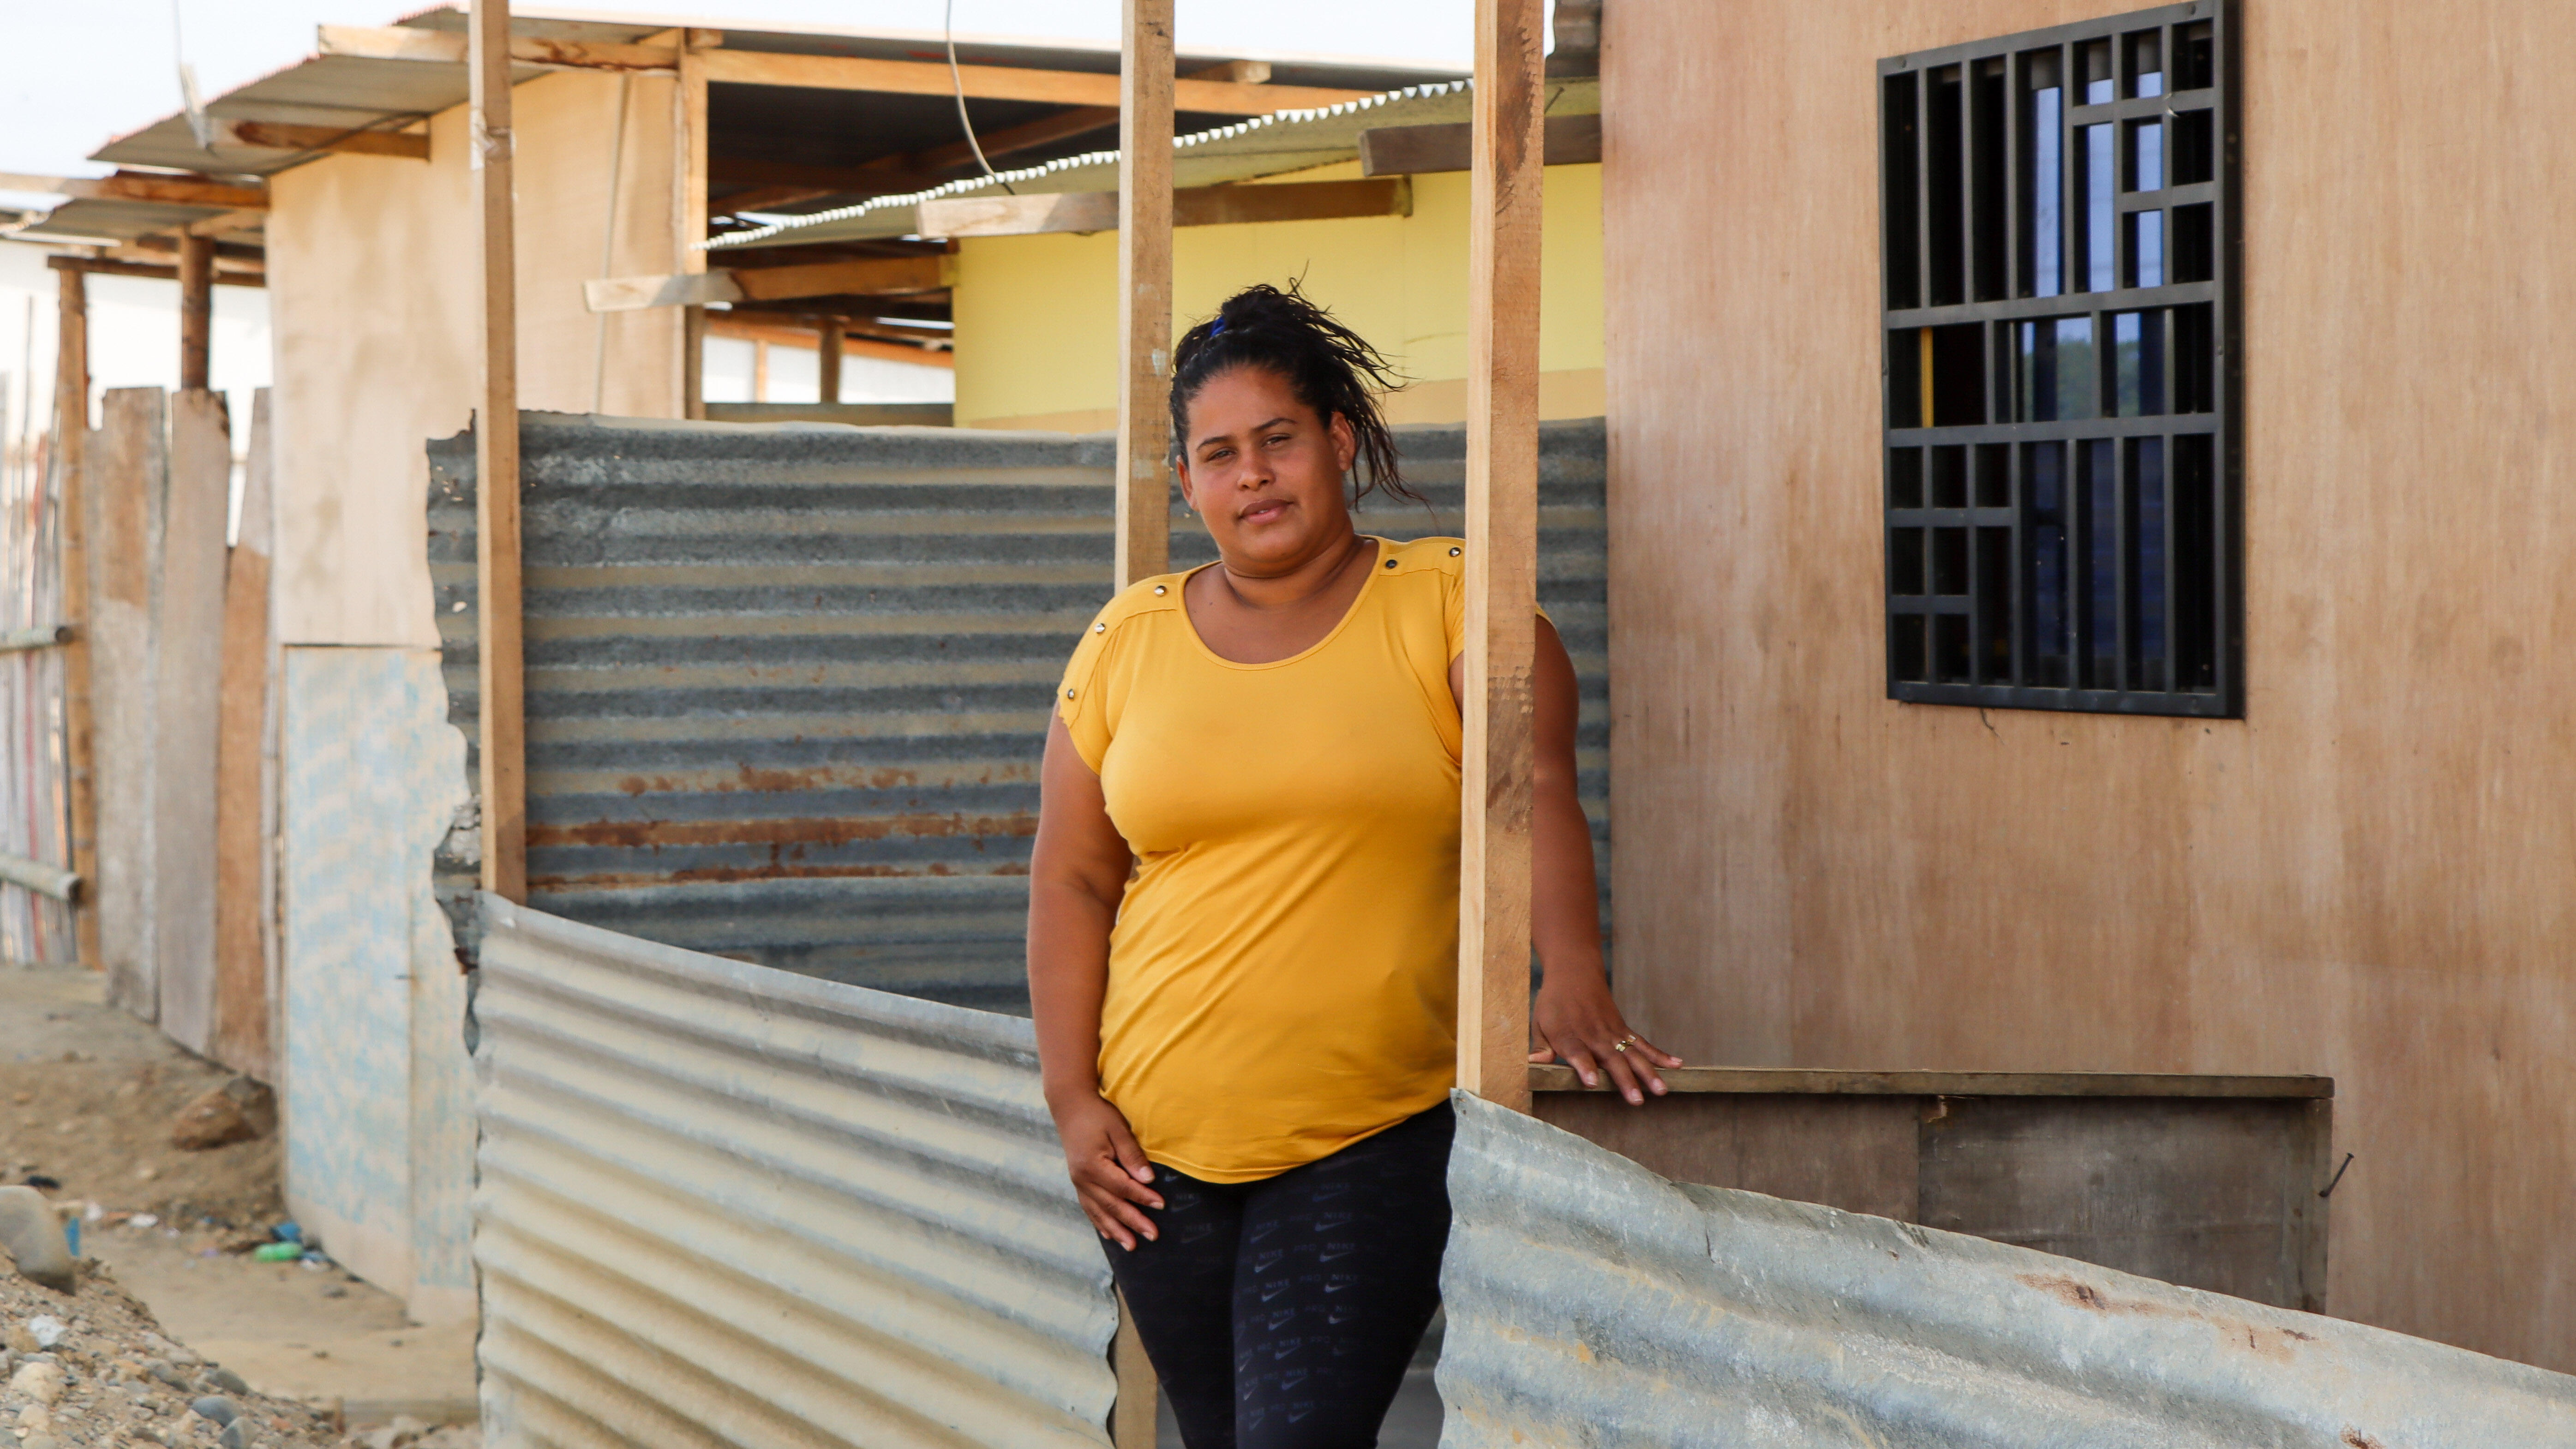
x=1284, y=972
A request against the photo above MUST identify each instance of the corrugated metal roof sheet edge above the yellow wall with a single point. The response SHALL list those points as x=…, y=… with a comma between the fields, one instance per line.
x=1245, y=151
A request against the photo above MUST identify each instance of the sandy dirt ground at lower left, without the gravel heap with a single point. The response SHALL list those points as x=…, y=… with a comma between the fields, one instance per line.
x=86, y=1108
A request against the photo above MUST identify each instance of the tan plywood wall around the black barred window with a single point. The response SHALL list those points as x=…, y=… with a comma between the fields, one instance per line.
x=2371, y=874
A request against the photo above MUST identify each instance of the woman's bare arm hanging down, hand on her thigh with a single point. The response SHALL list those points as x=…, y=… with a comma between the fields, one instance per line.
x=1075, y=881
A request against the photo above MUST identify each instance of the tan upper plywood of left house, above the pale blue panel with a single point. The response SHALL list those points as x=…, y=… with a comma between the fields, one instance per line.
x=372, y=282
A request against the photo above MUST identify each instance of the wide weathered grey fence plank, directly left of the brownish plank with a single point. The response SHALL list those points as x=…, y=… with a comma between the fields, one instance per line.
x=187, y=691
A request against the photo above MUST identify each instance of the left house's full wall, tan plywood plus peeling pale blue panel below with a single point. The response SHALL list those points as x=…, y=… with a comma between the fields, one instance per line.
x=375, y=282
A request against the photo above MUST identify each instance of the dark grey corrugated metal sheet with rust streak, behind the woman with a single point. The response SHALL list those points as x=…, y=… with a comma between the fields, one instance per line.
x=787, y=686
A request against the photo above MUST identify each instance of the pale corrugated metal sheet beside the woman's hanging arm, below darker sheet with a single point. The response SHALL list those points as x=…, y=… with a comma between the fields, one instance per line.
x=733, y=1206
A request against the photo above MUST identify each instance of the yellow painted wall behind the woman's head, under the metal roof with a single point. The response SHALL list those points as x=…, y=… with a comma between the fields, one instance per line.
x=1039, y=315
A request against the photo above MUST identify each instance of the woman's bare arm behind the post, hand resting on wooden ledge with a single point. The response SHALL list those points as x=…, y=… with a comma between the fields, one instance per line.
x=1573, y=1020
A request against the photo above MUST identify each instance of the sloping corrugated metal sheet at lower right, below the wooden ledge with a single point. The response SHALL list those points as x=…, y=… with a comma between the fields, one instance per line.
x=1593, y=1304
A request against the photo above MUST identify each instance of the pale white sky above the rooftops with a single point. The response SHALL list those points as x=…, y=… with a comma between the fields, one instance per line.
x=112, y=66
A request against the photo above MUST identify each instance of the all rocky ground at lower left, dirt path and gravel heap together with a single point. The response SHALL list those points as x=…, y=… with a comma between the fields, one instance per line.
x=176, y=1334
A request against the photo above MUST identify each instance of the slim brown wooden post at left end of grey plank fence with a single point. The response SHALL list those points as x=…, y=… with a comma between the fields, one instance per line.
x=71, y=436
